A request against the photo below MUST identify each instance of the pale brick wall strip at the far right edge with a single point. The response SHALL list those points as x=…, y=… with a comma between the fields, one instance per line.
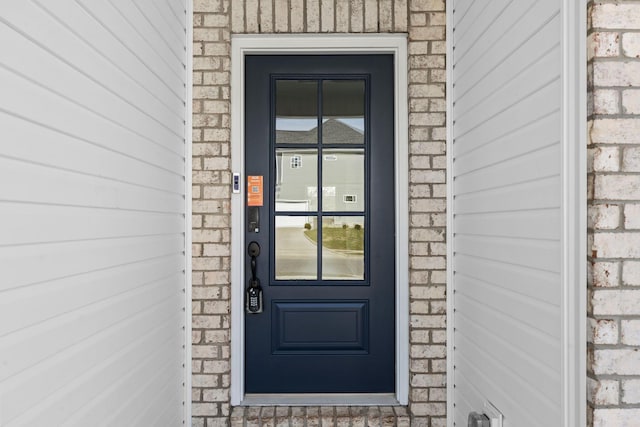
x=614, y=214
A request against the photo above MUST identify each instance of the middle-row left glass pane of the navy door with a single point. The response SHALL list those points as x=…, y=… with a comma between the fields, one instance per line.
x=296, y=180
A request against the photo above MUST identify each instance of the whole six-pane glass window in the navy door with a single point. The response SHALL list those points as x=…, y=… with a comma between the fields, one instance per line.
x=342, y=187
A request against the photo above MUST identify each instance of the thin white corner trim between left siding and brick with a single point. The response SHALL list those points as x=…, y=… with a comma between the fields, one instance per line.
x=188, y=164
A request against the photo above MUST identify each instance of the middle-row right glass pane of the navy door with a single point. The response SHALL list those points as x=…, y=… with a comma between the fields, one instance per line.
x=343, y=180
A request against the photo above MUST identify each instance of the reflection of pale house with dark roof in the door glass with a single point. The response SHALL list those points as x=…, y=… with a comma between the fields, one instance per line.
x=342, y=171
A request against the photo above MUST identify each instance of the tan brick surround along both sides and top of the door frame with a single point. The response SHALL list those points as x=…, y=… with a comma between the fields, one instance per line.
x=214, y=20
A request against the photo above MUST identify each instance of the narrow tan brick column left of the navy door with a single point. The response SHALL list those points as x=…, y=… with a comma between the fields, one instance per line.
x=211, y=213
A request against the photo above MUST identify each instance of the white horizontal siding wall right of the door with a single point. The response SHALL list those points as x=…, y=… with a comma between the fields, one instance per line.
x=507, y=155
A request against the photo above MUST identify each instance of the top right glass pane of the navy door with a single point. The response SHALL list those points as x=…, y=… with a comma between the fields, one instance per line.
x=343, y=112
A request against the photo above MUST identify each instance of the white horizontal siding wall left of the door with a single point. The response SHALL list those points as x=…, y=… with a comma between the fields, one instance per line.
x=92, y=210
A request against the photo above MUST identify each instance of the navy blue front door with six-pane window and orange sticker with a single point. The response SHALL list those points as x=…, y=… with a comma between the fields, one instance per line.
x=319, y=160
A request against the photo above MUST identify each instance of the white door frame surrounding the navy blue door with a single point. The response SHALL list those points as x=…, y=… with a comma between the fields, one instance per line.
x=395, y=44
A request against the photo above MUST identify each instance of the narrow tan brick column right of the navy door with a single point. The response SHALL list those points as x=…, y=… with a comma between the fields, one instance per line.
x=427, y=193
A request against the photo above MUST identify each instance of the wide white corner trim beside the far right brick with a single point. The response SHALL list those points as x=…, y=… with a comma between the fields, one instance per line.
x=574, y=205
